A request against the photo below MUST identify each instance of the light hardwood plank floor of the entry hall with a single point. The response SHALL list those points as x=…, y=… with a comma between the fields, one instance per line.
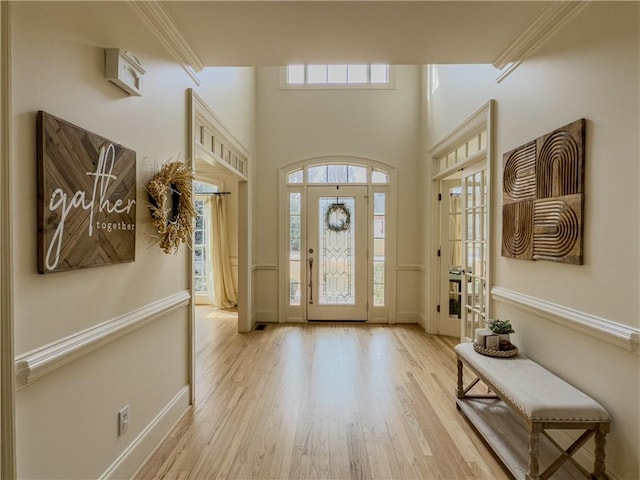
x=322, y=401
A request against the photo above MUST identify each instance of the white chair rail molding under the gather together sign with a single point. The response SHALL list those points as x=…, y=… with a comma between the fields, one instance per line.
x=32, y=365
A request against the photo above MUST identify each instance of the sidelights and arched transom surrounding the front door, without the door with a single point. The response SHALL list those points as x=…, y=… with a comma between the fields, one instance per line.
x=378, y=180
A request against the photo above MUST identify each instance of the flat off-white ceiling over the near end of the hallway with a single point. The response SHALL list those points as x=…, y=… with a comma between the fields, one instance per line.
x=243, y=33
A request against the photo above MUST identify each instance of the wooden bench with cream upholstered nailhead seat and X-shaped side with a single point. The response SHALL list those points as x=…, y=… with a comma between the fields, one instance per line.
x=525, y=401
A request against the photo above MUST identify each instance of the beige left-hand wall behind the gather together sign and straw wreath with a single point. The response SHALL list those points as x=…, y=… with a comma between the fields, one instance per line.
x=67, y=420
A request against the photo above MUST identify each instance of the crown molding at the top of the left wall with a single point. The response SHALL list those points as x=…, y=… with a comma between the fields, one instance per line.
x=160, y=23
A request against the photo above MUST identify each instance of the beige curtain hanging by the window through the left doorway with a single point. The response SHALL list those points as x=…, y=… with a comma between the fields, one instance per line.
x=221, y=292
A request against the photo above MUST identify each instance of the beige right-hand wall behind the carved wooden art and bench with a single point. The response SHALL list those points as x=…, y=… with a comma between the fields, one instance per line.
x=589, y=70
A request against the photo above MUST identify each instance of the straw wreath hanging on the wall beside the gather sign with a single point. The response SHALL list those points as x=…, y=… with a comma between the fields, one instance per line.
x=171, y=205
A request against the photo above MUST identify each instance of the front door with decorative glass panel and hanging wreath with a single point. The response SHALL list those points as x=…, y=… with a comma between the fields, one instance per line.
x=337, y=253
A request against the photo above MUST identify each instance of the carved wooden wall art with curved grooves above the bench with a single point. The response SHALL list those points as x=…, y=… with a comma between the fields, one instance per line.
x=543, y=197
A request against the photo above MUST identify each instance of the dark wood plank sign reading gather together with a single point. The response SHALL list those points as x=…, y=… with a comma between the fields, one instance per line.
x=86, y=198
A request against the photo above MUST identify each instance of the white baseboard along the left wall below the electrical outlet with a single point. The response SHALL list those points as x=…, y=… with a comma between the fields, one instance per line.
x=146, y=443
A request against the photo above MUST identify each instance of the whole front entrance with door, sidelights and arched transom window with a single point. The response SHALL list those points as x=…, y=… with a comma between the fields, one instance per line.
x=341, y=268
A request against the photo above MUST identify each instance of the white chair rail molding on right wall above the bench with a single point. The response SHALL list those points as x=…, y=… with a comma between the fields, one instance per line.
x=611, y=332
